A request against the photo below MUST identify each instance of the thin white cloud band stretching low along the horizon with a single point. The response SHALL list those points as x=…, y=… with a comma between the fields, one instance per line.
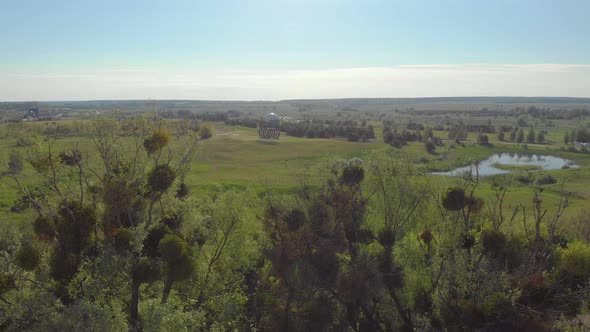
x=118, y=82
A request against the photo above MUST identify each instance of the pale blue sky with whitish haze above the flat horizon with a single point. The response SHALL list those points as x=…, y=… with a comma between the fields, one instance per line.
x=284, y=49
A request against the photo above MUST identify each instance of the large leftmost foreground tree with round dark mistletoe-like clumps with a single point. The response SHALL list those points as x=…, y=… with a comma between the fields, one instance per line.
x=95, y=214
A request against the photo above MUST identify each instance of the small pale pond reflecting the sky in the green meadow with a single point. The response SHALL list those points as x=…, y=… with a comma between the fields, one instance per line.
x=504, y=163
